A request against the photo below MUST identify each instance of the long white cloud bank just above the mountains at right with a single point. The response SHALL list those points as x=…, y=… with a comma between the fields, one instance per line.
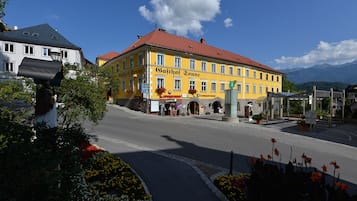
x=331, y=53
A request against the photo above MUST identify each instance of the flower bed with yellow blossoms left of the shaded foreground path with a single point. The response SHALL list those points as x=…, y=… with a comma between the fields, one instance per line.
x=108, y=175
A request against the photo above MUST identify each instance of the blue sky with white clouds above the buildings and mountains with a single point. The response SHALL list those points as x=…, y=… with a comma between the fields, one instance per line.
x=277, y=33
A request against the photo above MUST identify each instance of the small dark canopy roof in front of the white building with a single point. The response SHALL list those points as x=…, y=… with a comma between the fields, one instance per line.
x=39, y=69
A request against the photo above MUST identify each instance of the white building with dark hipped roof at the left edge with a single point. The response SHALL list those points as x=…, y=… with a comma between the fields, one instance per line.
x=34, y=42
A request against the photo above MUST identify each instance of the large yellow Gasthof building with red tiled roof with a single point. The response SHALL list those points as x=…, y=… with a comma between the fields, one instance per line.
x=162, y=72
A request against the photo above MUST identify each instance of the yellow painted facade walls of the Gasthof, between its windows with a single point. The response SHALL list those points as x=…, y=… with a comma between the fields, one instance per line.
x=169, y=72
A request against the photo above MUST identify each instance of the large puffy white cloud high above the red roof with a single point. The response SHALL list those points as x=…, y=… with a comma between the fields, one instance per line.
x=181, y=16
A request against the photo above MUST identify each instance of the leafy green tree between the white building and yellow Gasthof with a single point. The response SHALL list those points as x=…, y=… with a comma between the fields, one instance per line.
x=82, y=97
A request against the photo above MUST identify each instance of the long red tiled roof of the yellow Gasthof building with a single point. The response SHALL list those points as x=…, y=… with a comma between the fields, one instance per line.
x=161, y=38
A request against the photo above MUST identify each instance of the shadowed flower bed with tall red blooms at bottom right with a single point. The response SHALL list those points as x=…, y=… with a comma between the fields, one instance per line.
x=270, y=180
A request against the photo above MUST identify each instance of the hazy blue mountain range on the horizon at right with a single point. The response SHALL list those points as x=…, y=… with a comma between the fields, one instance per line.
x=344, y=73
